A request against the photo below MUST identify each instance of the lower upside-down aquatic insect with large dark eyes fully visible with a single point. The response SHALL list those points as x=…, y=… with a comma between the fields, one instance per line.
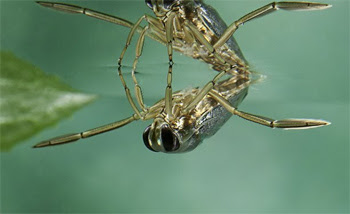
x=186, y=130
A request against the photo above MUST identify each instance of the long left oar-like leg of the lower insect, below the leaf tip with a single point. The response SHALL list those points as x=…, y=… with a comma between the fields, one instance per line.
x=85, y=134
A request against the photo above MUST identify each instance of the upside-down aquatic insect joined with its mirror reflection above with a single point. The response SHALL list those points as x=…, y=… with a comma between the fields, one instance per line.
x=183, y=119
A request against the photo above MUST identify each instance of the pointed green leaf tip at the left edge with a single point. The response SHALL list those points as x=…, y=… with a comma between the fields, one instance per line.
x=31, y=100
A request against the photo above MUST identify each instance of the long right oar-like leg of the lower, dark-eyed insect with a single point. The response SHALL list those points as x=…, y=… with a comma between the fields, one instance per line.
x=285, y=123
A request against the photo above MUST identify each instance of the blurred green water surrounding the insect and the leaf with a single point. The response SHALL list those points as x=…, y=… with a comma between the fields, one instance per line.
x=243, y=168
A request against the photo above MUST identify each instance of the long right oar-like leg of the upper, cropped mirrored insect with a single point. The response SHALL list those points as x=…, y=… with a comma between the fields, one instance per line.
x=267, y=9
